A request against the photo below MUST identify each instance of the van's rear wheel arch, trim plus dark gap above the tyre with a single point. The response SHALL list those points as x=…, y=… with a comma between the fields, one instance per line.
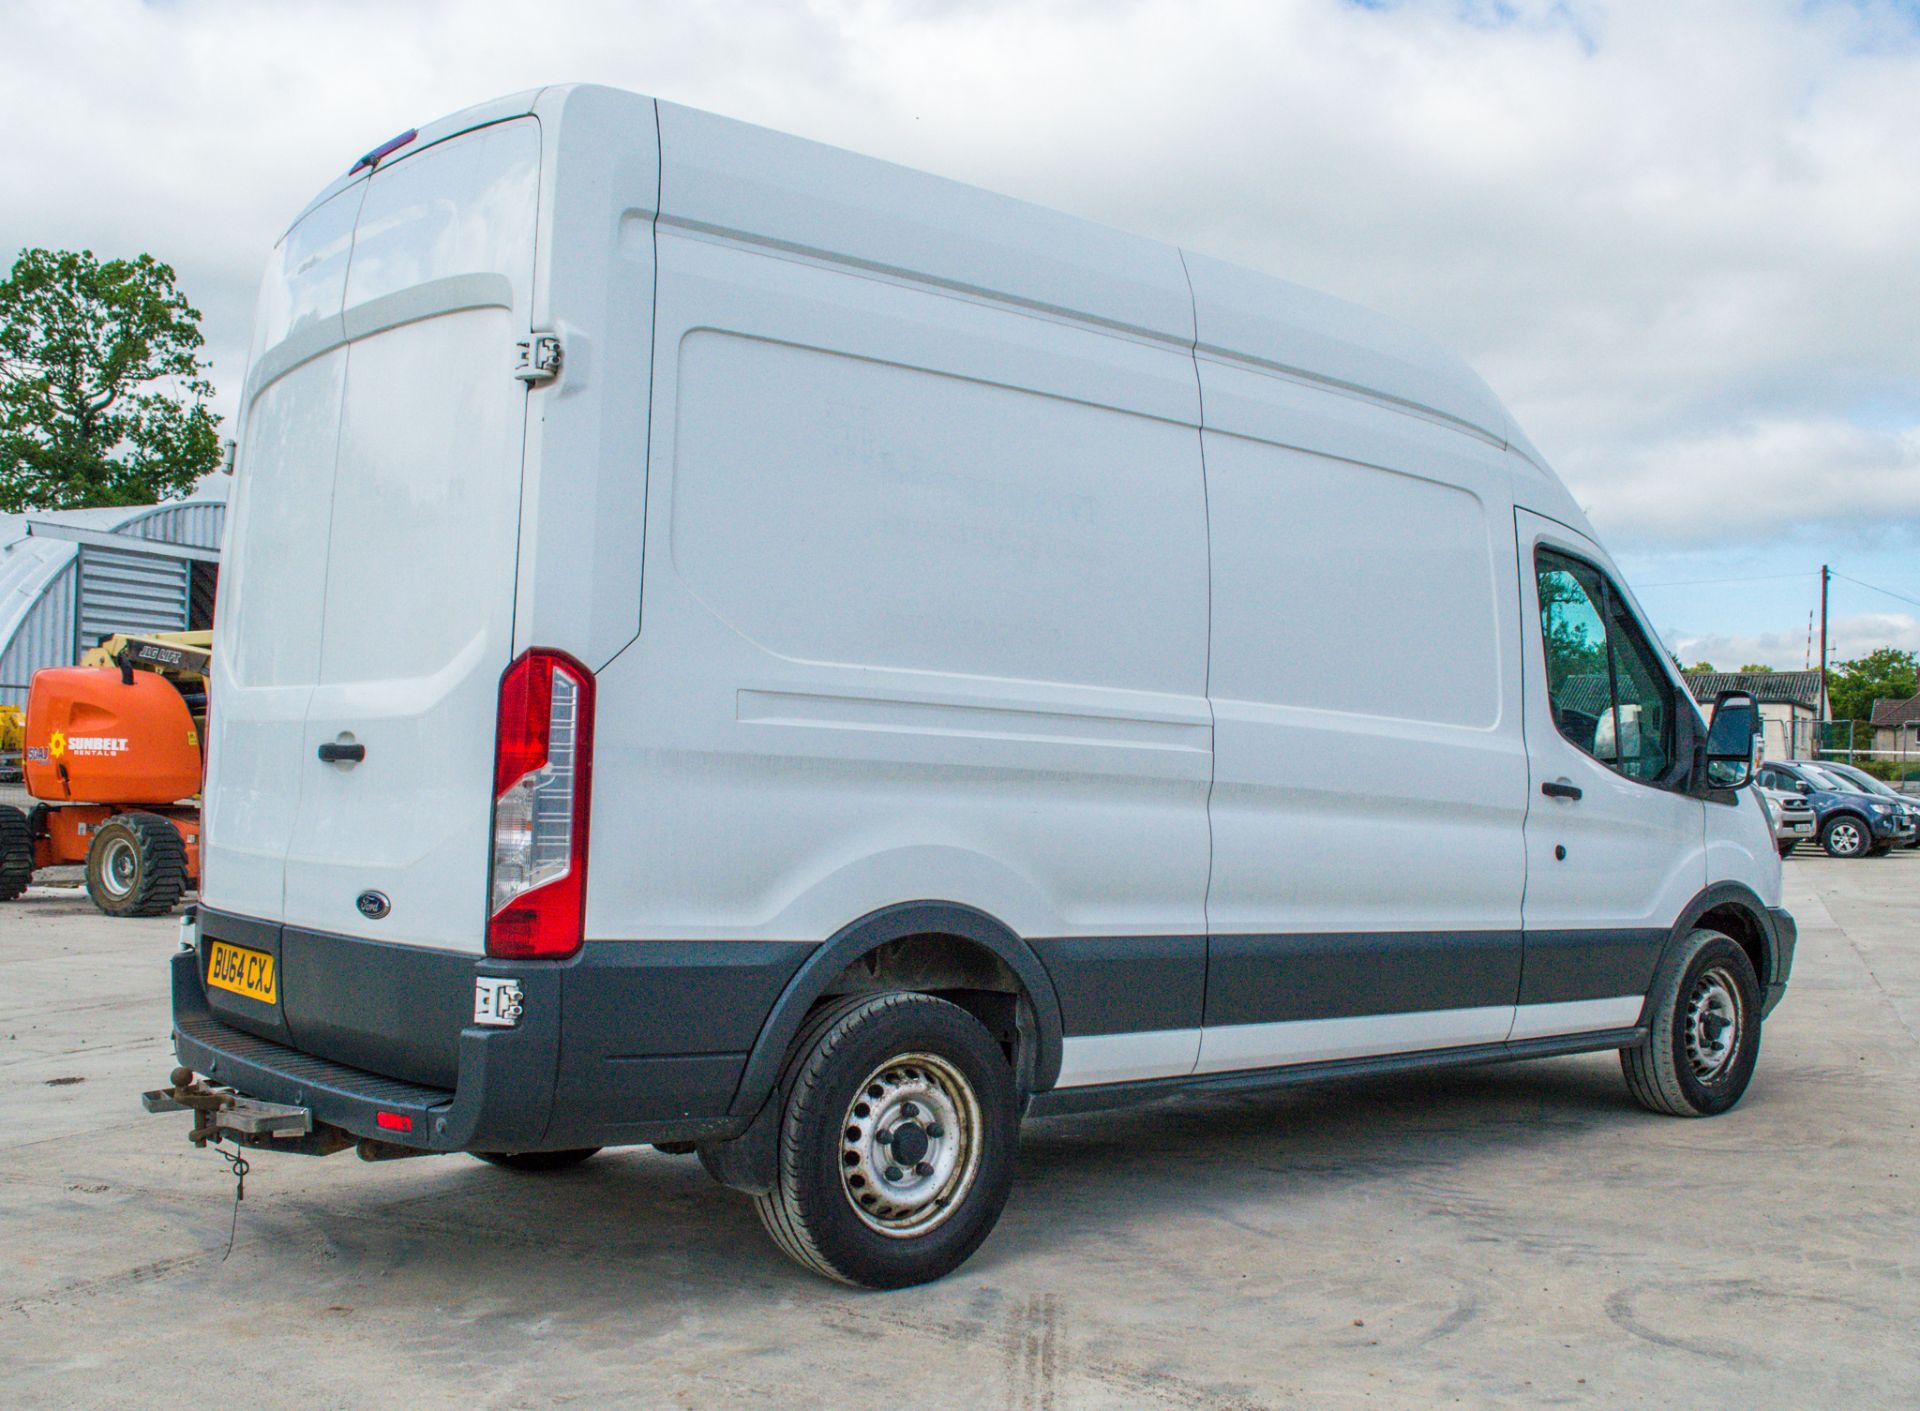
x=932, y=947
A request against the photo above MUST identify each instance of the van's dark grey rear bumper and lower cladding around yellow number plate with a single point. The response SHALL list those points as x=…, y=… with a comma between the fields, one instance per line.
x=629, y=1041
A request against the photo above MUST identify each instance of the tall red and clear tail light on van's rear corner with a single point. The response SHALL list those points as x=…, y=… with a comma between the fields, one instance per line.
x=542, y=769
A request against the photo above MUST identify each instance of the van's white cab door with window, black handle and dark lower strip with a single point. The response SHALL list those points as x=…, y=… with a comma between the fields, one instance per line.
x=1616, y=844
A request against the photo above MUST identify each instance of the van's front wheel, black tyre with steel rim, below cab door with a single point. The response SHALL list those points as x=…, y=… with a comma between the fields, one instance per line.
x=1704, y=1032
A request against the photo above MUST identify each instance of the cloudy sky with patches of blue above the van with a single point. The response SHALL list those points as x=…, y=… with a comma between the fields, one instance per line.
x=1679, y=237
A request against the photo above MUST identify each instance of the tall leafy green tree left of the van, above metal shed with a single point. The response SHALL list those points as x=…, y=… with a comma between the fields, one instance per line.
x=103, y=389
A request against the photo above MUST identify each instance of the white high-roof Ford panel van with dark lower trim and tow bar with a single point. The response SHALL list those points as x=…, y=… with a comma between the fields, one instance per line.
x=744, y=648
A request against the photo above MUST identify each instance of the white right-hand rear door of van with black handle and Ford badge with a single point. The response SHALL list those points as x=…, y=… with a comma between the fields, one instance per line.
x=421, y=548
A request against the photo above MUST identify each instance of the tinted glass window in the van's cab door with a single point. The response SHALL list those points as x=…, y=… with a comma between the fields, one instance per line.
x=1606, y=682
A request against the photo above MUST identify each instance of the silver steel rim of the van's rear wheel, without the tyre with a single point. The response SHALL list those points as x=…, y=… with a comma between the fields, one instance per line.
x=911, y=1145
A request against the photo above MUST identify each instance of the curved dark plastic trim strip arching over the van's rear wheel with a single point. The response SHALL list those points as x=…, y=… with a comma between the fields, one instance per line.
x=876, y=930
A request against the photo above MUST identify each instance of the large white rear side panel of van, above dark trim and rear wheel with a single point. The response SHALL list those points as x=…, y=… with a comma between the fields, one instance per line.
x=924, y=617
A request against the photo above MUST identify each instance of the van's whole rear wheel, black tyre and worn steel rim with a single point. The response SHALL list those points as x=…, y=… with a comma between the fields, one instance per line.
x=898, y=1139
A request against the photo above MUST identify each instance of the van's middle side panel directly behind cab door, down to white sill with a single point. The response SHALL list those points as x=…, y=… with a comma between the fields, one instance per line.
x=1370, y=767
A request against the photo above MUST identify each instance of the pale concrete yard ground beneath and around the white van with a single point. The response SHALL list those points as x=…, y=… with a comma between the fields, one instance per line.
x=1506, y=1237
